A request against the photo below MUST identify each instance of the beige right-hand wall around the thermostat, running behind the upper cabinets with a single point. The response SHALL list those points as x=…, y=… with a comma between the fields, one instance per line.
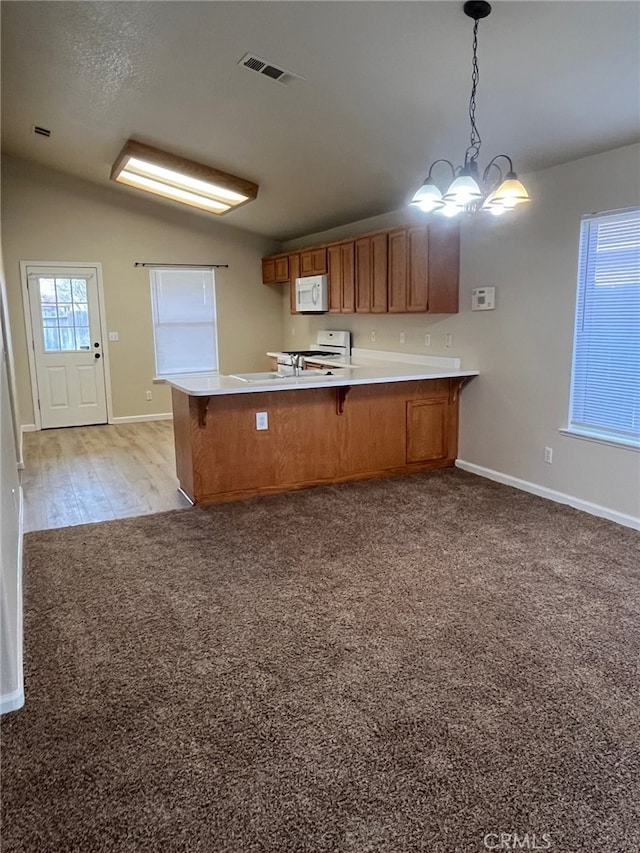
x=523, y=349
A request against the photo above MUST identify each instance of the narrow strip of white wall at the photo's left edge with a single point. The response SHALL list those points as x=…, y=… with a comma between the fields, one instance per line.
x=11, y=684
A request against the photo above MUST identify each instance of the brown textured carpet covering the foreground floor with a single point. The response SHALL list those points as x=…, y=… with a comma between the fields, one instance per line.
x=415, y=664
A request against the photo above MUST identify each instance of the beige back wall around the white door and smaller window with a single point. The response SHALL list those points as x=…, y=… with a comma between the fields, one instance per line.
x=49, y=216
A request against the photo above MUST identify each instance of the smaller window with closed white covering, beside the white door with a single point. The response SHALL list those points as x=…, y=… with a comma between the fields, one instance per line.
x=184, y=321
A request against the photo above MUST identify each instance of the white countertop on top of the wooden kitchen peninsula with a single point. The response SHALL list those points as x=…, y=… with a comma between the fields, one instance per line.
x=363, y=367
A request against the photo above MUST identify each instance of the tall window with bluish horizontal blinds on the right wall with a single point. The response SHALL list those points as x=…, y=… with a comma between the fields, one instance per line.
x=605, y=379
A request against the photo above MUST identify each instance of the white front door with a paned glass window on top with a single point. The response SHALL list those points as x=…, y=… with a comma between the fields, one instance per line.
x=67, y=345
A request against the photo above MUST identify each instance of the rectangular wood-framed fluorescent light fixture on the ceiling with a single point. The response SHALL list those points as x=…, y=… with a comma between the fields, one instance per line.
x=176, y=178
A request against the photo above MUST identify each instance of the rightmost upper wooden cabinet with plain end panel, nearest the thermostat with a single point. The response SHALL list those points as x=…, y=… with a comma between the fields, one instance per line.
x=424, y=269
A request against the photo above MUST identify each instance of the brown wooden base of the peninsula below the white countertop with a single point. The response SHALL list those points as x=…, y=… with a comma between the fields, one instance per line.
x=316, y=435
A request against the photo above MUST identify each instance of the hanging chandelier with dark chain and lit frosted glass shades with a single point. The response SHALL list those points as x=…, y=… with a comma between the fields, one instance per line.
x=499, y=189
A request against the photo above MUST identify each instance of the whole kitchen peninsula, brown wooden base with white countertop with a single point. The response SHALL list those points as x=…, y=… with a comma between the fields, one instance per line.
x=368, y=415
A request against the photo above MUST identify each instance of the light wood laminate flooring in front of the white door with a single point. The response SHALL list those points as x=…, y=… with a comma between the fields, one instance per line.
x=97, y=473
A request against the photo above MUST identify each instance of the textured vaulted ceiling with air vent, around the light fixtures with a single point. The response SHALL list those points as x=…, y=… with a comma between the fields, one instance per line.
x=386, y=91
